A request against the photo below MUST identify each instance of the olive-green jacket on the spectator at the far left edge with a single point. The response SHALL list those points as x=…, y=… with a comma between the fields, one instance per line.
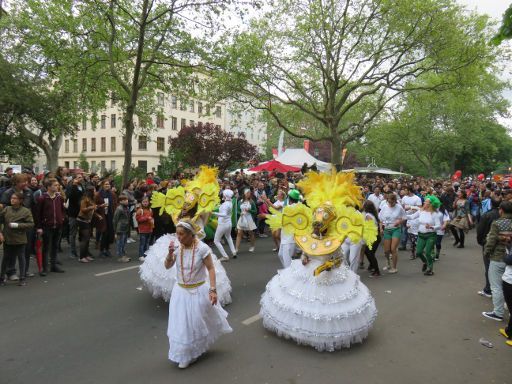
x=22, y=216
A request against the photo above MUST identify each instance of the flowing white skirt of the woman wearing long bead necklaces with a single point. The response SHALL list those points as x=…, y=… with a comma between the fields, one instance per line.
x=194, y=323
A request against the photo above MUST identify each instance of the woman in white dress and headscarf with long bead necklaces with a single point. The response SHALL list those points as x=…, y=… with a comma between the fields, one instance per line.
x=195, y=319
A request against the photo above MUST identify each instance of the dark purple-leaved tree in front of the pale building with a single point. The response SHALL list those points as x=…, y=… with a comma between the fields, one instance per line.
x=211, y=145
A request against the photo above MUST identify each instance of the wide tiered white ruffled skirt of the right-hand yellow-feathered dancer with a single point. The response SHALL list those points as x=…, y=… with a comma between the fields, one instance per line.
x=328, y=312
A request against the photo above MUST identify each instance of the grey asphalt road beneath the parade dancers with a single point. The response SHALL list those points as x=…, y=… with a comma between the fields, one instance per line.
x=78, y=327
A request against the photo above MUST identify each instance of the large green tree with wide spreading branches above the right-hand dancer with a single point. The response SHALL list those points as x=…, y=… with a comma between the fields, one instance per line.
x=325, y=70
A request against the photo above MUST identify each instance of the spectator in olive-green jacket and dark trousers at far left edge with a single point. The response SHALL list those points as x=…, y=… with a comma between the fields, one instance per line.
x=16, y=221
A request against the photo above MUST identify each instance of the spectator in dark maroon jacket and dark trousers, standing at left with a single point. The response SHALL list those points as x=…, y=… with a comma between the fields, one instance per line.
x=49, y=219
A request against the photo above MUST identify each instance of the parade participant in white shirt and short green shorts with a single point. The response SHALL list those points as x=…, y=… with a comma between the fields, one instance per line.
x=391, y=216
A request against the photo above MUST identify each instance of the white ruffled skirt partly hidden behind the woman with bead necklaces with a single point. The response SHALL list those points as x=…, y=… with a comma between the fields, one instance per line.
x=160, y=281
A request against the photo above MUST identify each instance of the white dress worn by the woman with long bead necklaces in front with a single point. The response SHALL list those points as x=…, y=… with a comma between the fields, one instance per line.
x=194, y=323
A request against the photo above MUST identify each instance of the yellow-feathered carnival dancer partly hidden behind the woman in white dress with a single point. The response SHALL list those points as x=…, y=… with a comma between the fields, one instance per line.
x=195, y=201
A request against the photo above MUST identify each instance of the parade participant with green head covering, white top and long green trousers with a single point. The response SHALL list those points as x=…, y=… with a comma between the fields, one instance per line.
x=429, y=224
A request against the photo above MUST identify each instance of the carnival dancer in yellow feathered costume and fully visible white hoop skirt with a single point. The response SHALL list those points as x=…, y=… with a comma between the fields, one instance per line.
x=318, y=301
